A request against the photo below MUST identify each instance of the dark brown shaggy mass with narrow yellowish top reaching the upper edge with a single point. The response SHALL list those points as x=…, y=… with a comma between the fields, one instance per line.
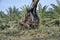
x=31, y=18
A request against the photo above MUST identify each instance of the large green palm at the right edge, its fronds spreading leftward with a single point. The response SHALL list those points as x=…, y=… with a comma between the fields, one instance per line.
x=54, y=13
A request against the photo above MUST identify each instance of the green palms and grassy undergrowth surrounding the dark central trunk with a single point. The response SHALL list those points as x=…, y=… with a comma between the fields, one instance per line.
x=49, y=27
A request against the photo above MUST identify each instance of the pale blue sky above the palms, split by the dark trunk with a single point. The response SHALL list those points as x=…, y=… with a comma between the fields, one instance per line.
x=5, y=4
